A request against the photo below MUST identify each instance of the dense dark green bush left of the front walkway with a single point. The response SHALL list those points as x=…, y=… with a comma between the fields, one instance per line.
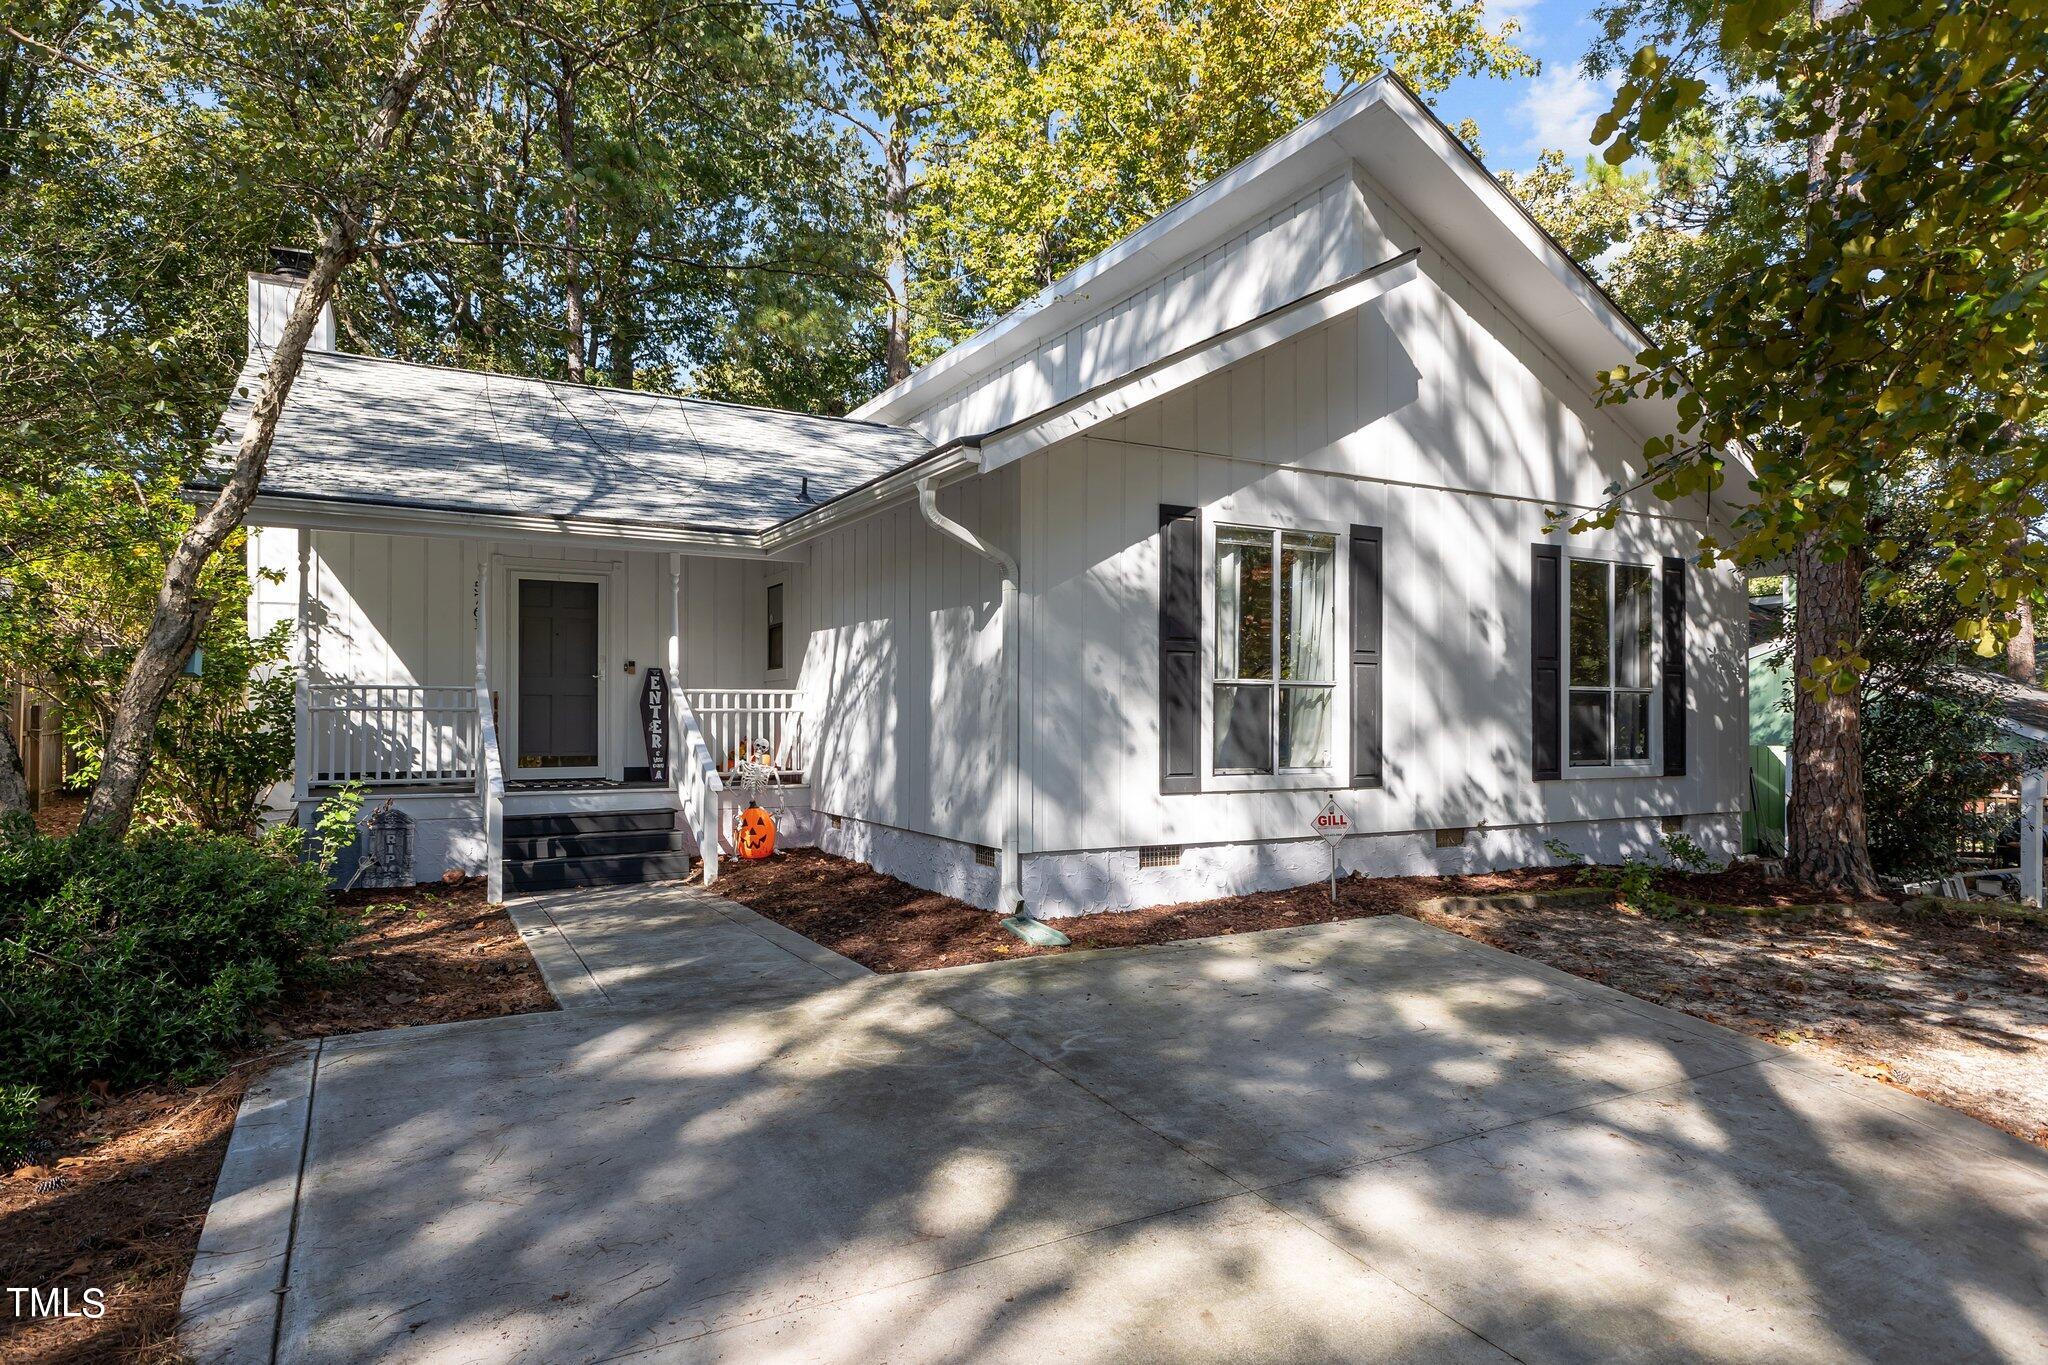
x=146, y=961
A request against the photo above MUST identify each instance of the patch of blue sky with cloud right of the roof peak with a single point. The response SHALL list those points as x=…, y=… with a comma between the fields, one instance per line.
x=1553, y=109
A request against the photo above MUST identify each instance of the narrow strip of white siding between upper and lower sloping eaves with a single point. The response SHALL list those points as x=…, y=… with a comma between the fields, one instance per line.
x=1318, y=240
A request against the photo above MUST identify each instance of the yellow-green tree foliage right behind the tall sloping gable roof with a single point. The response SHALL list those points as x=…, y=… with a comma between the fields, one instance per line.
x=1056, y=126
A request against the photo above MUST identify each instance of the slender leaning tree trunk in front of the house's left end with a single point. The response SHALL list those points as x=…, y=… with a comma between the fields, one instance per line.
x=181, y=613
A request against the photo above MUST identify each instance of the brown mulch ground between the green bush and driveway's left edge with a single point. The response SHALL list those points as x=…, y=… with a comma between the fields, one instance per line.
x=118, y=1188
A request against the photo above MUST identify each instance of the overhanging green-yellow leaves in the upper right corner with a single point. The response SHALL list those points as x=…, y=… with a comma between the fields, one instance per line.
x=1879, y=318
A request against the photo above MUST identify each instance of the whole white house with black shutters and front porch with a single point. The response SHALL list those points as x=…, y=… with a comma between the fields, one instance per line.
x=1271, y=480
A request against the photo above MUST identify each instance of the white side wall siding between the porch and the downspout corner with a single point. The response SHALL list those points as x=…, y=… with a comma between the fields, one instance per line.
x=902, y=666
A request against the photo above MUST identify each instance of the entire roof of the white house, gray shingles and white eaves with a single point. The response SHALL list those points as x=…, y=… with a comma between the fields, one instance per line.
x=531, y=453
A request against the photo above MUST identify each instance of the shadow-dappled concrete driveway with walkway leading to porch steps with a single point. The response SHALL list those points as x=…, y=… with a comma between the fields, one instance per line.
x=1345, y=1143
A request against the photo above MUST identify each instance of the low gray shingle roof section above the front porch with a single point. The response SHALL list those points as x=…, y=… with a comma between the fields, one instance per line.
x=359, y=429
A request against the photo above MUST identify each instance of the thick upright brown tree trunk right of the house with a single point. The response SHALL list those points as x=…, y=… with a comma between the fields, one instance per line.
x=1828, y=838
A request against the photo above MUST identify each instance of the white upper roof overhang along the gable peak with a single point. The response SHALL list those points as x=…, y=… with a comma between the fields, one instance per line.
x=1385, y=130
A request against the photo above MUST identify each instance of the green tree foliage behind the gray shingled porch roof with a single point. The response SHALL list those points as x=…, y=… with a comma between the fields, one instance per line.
x=630, y=193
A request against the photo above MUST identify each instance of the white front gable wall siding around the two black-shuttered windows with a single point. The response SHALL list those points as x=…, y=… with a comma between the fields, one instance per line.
x=1435, y=419
